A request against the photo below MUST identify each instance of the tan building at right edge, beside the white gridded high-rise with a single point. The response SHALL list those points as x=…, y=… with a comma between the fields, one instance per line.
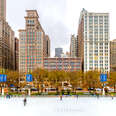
x=113, y=55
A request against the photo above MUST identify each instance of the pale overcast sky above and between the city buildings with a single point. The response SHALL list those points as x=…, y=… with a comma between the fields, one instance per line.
x=59, y=18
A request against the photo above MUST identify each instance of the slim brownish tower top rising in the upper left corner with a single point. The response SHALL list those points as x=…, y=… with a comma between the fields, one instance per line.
x=3, y=9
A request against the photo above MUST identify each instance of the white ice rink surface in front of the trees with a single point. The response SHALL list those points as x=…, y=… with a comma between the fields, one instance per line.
x=69, y=106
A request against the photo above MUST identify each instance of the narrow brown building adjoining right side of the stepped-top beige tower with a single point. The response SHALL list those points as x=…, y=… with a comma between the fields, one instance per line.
x=46, y=46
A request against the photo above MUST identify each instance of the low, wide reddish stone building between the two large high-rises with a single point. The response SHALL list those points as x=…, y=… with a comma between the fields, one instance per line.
x=65, y=64
